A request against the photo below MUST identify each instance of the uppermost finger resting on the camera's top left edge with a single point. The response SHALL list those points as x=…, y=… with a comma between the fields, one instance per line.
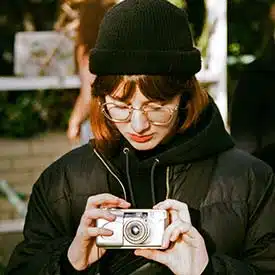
x=106, y=199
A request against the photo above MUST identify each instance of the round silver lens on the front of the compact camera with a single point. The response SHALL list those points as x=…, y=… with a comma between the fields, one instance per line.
x=136, y=231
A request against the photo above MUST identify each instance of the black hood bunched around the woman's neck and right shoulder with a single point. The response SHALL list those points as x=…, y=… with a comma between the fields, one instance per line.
x=207, y=138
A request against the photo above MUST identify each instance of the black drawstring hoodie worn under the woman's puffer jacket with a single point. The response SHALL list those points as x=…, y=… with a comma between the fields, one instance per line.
x=145, y=173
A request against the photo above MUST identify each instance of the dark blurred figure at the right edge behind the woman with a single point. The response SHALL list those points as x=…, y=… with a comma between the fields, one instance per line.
x=252, y=111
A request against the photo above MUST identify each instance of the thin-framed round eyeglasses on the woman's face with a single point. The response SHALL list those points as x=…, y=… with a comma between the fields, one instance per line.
x=161, y=115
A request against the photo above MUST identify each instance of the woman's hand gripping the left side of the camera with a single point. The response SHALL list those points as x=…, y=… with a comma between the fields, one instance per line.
x=83, y=250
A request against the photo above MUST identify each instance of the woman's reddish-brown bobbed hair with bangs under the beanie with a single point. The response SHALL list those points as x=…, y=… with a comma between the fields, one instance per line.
x=160, y=88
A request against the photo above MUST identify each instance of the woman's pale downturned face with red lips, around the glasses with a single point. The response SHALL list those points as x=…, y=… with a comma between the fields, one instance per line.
x=141, y=133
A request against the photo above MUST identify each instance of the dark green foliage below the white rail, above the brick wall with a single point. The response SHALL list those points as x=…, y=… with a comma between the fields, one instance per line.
x=28, y=113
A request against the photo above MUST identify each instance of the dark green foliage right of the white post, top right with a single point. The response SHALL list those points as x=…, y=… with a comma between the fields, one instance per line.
x=249, y=27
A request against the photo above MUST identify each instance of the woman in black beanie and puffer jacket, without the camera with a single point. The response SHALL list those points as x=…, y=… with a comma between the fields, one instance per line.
x=159, y=143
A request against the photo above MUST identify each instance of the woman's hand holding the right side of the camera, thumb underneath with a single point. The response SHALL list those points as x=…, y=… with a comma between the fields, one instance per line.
x=185, y=252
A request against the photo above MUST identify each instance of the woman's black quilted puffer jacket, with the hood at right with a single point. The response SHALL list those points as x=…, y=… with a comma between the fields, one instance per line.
x=230, y=195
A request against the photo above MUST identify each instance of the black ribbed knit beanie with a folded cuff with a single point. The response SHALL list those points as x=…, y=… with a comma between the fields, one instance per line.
x=150, y=37
